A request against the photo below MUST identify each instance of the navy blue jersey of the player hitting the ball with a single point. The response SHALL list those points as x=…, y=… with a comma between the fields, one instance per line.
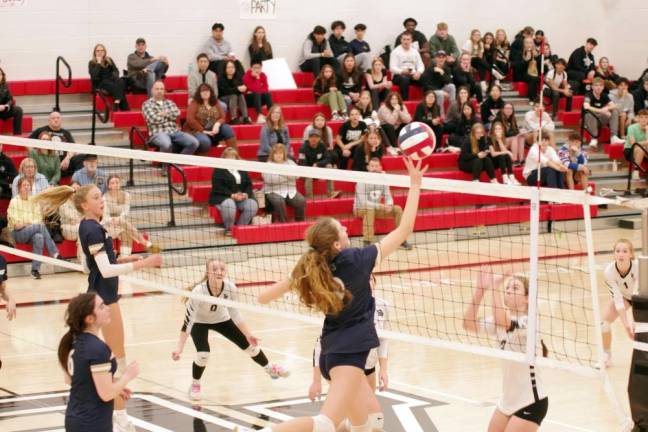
x=353, y=330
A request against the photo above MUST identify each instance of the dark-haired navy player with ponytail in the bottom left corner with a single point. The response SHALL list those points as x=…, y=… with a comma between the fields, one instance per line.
x=89, y=366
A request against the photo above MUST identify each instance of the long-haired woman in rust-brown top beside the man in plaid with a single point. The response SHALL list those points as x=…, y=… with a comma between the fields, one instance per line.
x=206, y=120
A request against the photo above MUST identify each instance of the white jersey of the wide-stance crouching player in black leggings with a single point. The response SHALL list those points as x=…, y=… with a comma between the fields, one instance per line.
x=207, y=313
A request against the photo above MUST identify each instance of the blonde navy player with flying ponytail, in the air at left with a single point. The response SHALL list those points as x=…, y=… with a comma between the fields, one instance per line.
x=104, y=269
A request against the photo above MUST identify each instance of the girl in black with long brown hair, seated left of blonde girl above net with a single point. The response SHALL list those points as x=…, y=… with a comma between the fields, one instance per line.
x=474, y=158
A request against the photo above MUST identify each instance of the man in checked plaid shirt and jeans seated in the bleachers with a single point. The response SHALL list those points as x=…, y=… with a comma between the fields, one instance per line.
x=161, y=115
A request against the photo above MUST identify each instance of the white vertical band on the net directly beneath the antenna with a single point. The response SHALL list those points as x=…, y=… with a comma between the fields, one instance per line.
x=534, y=232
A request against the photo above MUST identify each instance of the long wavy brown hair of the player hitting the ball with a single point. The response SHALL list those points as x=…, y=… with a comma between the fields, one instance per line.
x=312, y=277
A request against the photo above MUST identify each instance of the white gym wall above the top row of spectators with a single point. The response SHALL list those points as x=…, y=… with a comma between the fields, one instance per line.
x=34, y=32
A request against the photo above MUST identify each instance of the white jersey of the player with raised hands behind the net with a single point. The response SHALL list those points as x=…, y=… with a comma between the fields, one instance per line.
x=522, y=383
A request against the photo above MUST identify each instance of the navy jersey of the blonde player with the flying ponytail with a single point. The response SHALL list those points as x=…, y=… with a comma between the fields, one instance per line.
x=94, y=239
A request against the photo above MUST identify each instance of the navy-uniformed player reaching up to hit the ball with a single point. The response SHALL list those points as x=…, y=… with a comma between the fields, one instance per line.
x=334, y=278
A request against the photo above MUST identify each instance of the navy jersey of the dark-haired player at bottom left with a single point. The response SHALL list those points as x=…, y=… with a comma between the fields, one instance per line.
x=85, y=410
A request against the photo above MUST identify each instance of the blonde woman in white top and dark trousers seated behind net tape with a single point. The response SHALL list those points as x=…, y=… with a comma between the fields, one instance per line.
x=281, y=190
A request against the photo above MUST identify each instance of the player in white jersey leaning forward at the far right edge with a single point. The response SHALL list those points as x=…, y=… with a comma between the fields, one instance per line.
x=622, y=278
